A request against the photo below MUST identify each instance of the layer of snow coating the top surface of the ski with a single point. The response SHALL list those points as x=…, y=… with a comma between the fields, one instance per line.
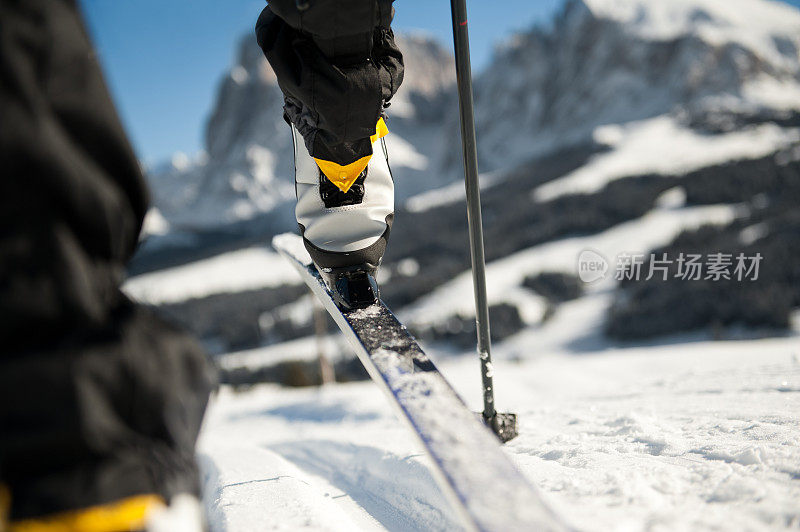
x=451, y=433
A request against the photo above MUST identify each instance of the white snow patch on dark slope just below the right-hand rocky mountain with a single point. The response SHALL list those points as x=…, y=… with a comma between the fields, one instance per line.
x=662, y=146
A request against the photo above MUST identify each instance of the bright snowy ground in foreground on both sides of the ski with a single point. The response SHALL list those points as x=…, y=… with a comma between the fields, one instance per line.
x=700, y=436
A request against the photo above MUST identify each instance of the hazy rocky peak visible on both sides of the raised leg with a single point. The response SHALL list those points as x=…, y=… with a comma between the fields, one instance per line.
x=246, y=167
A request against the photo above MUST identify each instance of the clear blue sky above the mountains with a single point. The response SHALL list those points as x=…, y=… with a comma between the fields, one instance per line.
x=163, y=58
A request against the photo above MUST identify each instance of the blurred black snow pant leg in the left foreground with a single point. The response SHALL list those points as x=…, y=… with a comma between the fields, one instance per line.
x=99, y=399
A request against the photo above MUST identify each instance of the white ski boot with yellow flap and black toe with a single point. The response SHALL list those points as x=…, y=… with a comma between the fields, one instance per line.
x=345, y=215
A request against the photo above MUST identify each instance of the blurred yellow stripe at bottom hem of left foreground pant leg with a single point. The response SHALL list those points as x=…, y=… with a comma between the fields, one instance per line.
x=117, y=516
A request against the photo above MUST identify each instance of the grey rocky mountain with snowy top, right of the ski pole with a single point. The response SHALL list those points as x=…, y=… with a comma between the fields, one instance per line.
x=618, y=61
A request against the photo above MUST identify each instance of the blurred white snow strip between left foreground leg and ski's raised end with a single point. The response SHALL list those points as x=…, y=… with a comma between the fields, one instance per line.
x=236, y=271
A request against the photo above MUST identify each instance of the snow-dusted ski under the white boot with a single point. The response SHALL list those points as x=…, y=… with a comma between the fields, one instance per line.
x=481, y=482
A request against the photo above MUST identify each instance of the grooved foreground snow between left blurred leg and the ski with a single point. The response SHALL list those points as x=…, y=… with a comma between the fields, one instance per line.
x=327, y=459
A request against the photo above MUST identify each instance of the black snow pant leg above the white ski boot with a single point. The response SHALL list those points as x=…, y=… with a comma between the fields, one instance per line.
x=338, y=66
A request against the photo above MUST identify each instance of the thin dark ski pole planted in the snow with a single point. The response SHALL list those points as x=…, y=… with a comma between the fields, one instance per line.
x=504, y=425
